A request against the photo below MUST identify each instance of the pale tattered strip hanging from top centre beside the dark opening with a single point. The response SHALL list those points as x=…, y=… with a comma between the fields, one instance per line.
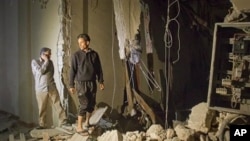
x=127, y=20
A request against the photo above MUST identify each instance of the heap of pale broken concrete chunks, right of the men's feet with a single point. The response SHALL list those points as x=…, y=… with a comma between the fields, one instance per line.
x=196, y=128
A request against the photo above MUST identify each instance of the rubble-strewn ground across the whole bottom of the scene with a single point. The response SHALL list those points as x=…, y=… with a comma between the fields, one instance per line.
x=202, y=124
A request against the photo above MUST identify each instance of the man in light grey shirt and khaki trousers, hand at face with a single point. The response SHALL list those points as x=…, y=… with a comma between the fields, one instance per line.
x=45, y=87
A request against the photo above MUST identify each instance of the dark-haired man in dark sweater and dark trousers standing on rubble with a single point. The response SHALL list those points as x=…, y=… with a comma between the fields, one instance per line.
x=85, y=70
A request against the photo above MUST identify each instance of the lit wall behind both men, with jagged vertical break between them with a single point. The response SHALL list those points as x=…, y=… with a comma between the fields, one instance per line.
x=38, y=25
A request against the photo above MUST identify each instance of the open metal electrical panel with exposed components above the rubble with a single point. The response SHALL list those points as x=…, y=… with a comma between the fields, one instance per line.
x=229, y=83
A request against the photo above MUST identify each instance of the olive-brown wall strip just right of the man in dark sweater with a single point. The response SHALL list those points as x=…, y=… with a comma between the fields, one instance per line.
x=101, y=28
